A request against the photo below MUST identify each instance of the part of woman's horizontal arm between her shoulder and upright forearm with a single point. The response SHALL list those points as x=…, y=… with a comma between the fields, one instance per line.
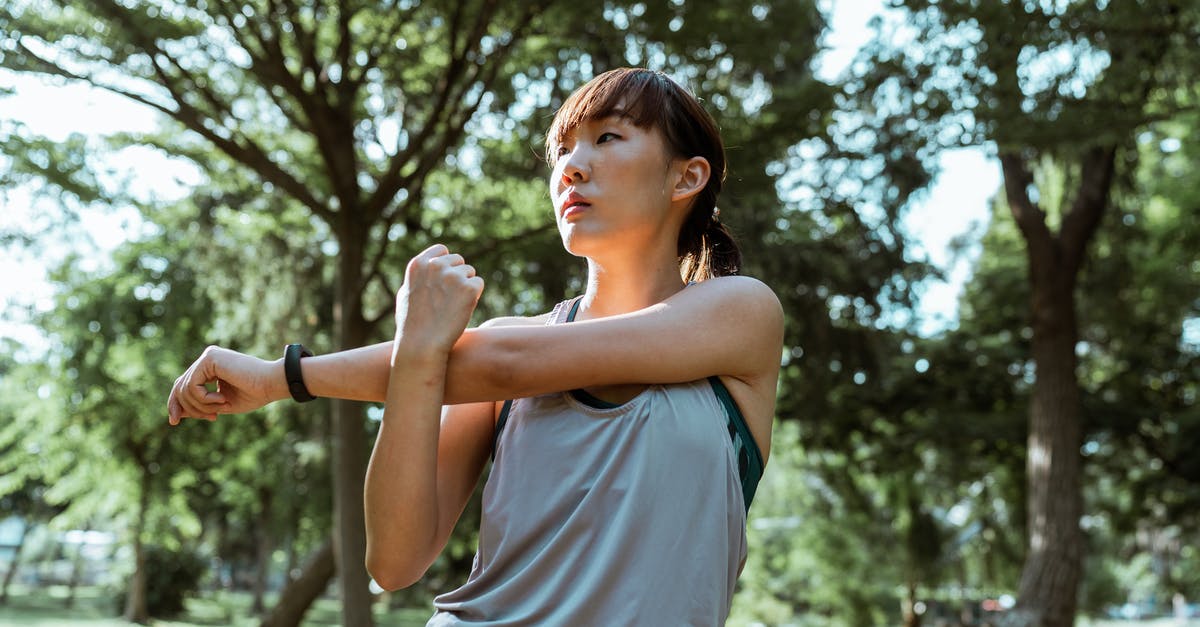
x=730, y=327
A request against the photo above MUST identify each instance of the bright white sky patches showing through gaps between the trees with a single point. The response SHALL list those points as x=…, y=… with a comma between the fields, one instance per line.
x=956, y=204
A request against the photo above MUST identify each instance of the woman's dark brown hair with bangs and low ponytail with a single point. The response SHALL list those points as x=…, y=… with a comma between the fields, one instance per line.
x=652, y=100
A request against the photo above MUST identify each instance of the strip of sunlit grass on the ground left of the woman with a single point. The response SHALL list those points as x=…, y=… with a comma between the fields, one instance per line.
x=94, y=607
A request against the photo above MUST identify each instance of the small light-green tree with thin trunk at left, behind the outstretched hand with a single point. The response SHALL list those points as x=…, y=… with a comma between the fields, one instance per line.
x=100, y=419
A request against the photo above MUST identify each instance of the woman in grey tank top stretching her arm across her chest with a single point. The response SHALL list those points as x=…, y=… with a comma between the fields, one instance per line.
x=625, y=500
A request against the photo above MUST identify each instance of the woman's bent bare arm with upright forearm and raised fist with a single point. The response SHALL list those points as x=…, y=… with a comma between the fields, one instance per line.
x=423, y=469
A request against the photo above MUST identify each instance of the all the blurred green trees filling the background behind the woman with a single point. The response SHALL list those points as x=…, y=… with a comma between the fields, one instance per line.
x=332, y=141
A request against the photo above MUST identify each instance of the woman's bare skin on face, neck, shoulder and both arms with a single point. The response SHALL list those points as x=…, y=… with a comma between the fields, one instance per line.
x=443, y=385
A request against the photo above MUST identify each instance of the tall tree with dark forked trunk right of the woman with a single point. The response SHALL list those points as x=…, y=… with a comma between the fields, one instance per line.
x=1064, y=83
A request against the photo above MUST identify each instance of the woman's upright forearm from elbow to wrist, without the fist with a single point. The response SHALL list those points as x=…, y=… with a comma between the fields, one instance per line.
x=400, y=497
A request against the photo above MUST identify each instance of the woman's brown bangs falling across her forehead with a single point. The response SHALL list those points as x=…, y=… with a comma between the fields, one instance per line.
x=639, y=95
